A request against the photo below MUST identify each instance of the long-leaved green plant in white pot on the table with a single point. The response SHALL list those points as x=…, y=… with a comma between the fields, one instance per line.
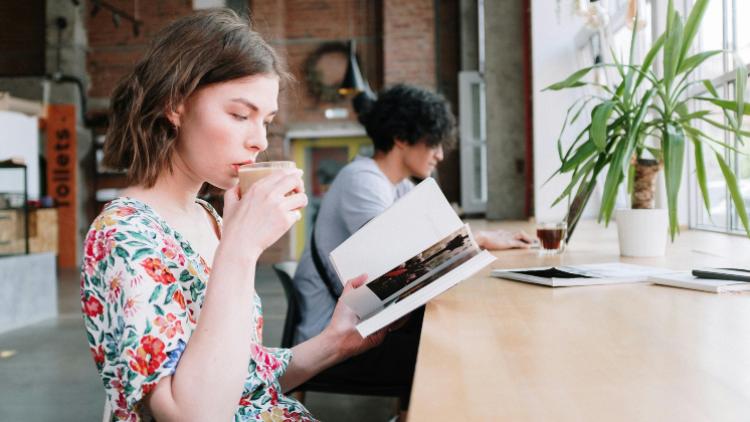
x=642, y=124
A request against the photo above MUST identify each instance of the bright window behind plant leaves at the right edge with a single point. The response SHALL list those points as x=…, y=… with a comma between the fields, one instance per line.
x=734, y=35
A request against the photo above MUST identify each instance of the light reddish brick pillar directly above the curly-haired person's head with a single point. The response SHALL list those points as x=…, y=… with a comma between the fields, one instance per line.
x=409, y=42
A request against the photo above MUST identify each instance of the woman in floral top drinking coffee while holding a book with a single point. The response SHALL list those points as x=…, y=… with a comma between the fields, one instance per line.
x=172, y=317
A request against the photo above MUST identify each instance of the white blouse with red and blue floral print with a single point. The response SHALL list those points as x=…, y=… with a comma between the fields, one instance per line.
x=142, y=289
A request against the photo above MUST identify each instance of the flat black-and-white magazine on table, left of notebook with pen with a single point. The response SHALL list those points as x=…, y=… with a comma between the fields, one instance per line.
x=581, y=275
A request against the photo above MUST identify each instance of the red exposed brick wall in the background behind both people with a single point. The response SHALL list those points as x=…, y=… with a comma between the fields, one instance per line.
x=296, y=28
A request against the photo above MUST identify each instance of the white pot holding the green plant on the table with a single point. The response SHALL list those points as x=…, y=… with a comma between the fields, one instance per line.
x=642, y=233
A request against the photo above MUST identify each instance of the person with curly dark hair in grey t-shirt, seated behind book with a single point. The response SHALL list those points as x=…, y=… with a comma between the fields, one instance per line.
x=409, y=127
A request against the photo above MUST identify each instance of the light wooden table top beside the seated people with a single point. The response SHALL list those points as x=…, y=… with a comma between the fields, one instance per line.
x=495, y=349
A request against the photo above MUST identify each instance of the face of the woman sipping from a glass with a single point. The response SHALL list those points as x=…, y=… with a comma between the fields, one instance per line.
x=223, y=126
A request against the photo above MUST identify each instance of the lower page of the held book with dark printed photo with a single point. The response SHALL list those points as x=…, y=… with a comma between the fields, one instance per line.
x=413, y=274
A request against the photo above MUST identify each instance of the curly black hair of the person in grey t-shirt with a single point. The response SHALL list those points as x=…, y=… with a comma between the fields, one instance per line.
x=410, y=114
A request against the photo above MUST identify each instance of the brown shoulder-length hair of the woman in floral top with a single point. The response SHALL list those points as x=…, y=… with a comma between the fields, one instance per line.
x=207, y=47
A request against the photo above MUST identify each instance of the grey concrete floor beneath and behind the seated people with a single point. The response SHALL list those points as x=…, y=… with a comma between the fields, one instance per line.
x=51, y=376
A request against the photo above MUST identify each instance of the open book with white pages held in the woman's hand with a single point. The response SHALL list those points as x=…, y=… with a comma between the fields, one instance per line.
x=412, y=252
